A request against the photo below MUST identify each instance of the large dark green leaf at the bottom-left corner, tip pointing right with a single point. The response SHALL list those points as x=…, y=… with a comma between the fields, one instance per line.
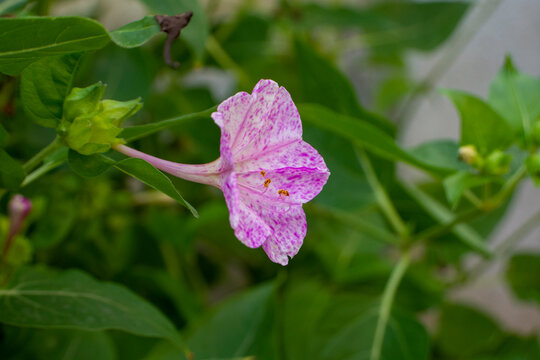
x=72, y=299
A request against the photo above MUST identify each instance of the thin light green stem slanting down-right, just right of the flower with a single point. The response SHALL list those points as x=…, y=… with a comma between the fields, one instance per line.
x=381, y=196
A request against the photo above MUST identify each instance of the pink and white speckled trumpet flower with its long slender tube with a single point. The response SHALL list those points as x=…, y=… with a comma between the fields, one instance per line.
x=266, y=171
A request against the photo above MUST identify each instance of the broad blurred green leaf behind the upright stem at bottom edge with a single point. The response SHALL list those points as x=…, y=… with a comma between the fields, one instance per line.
x=321, y=325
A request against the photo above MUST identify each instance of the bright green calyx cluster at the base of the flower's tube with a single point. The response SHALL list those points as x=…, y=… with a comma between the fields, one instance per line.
x=91, y=125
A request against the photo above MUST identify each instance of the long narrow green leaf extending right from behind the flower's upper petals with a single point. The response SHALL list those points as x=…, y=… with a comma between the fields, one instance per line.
x=360, y=133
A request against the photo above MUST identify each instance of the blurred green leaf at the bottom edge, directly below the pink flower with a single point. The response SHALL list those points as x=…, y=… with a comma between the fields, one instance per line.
x=237, y=328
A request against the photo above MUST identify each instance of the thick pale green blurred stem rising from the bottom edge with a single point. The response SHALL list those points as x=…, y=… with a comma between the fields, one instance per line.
x=386, y=304
